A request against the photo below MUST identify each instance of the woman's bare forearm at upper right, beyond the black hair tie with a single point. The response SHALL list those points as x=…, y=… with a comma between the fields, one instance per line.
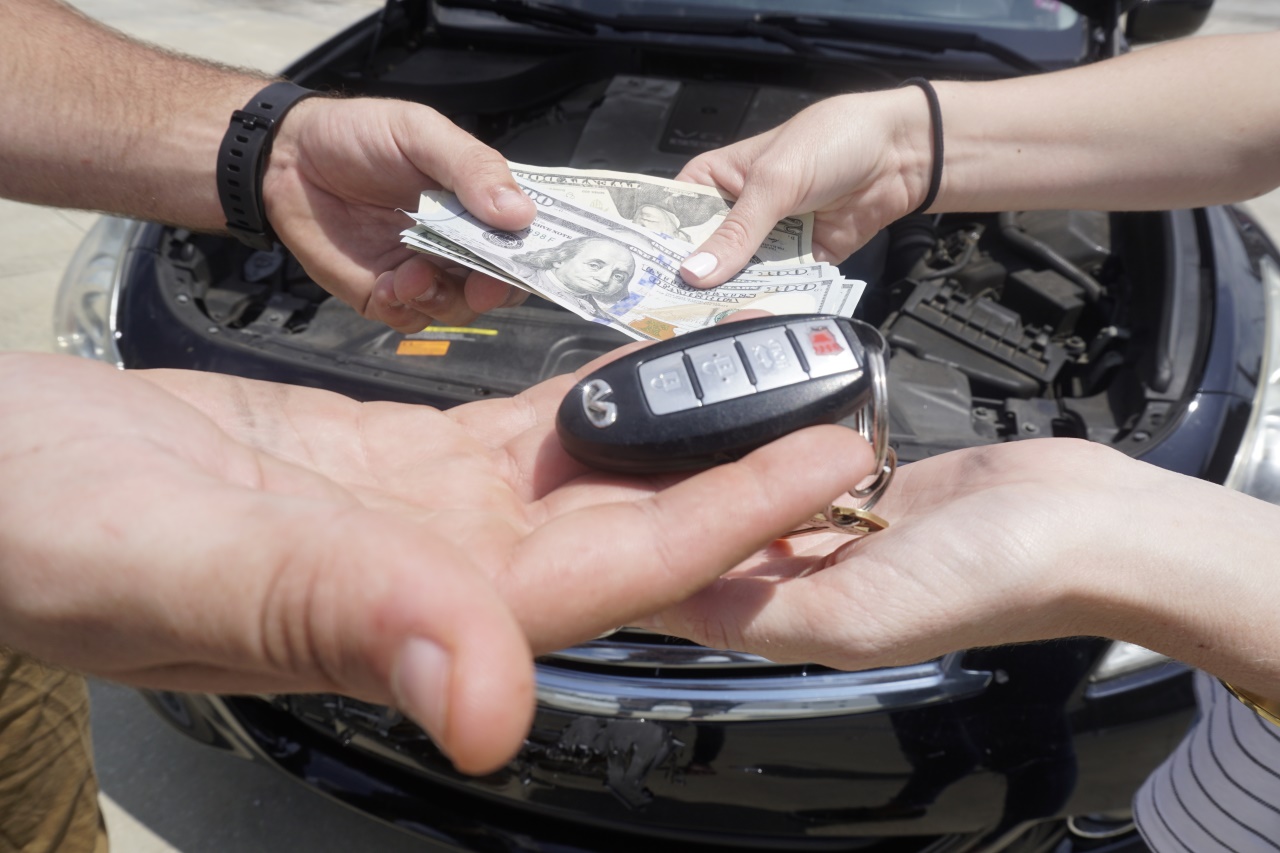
x=1183, y=125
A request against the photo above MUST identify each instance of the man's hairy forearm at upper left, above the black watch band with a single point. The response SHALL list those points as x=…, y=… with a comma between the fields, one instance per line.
x=100, y=122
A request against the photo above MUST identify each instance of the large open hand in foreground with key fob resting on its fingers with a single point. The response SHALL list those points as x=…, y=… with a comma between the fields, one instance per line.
x=199, y=532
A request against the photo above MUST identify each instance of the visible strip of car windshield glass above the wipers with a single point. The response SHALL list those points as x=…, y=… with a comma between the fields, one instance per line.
x=1011, y=15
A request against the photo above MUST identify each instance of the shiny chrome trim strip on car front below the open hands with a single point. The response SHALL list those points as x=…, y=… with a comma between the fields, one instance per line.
x=769, y=697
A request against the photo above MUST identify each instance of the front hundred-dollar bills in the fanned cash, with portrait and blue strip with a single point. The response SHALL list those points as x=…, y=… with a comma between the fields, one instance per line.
x=614, y=272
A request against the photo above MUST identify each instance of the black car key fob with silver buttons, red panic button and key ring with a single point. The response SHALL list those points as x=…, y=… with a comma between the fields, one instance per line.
x=715, y=395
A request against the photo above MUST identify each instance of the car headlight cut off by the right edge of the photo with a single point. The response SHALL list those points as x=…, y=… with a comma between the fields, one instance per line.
x=1258, y=464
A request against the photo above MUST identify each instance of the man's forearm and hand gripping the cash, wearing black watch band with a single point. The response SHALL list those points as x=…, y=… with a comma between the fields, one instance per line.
x=339, y=171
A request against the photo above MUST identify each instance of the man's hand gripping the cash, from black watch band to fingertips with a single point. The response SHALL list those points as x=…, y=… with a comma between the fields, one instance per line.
x=342, y=174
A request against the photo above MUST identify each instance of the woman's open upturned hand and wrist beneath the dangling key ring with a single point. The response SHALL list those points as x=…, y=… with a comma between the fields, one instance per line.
x=1017, y=542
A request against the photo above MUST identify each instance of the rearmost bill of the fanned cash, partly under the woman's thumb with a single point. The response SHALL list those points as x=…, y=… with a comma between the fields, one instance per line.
x=688, y=212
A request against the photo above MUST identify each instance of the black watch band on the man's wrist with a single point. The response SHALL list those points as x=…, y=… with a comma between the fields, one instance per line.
x=243, y=161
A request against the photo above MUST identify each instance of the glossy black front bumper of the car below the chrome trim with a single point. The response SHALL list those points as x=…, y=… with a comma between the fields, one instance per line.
x=1037, y=747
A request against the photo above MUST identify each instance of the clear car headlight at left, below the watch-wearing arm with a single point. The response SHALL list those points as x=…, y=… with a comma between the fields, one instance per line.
x=88, y=297
